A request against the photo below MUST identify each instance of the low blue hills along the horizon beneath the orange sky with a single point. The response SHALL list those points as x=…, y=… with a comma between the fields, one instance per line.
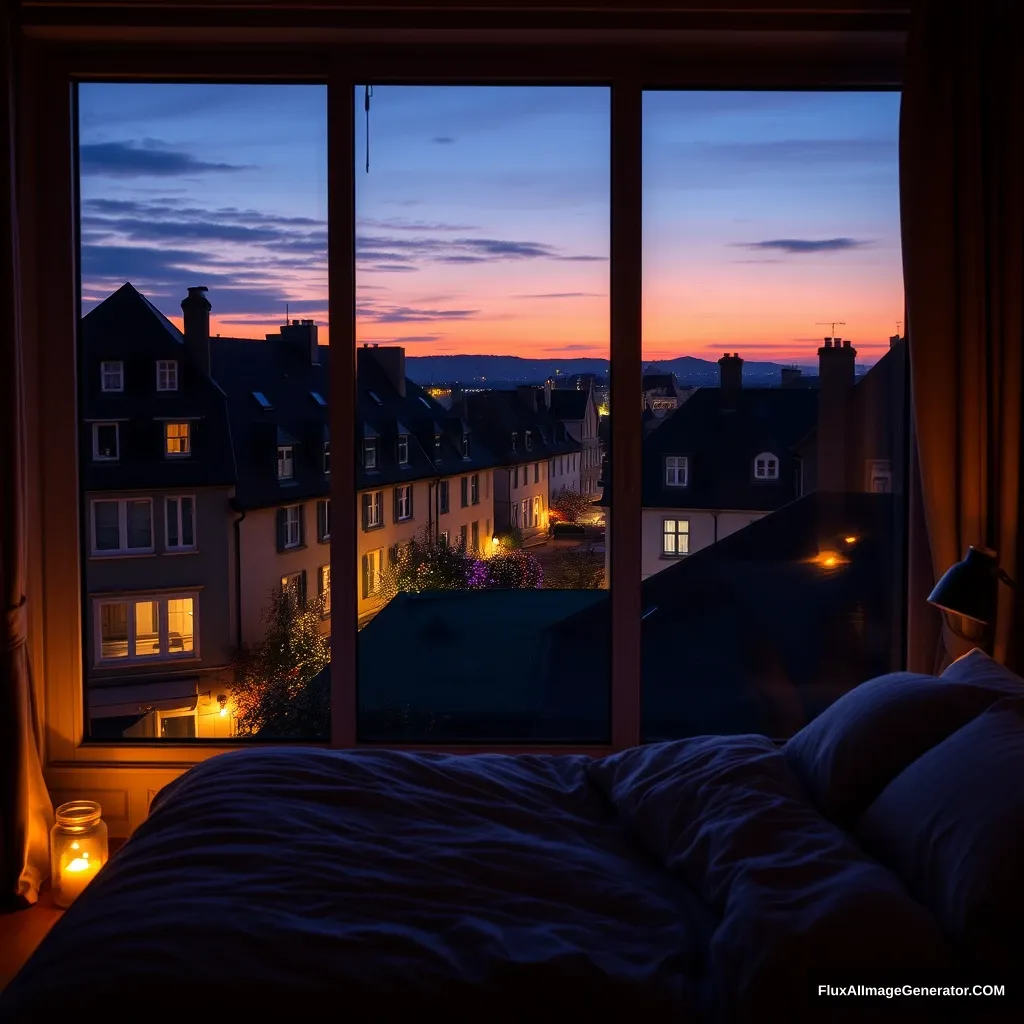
x=507, y=369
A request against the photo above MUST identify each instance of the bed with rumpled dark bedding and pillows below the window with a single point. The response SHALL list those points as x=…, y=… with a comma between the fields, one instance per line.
x=705, y=879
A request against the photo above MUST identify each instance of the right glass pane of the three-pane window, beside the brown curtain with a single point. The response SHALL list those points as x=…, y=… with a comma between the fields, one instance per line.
x=774, y=383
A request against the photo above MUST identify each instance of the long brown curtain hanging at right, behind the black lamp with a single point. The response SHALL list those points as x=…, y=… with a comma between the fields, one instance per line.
x=962, y=196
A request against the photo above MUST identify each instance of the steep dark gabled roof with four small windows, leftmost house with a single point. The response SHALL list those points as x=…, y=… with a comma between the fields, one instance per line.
x=129, y=328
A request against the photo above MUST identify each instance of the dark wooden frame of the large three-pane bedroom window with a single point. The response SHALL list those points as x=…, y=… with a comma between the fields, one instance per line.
x=59, y=54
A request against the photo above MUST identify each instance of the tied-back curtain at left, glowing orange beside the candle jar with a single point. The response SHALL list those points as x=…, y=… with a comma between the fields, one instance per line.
x=26, y=813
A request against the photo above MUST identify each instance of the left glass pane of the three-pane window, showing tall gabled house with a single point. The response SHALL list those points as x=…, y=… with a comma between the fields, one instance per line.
x=210, y=202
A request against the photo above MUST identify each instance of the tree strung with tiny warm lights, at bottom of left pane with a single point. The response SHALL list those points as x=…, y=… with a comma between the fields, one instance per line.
x=281, y=691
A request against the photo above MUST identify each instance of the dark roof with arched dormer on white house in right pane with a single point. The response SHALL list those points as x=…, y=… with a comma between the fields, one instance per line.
x=721, y=444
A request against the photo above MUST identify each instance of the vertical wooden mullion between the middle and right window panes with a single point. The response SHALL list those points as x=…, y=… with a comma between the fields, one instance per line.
x=626, y=455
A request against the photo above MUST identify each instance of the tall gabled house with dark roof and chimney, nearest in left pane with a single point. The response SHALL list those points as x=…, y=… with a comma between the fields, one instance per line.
x=158, y=479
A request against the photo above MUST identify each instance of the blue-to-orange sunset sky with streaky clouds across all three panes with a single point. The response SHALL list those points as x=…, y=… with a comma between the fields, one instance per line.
x=484, y=222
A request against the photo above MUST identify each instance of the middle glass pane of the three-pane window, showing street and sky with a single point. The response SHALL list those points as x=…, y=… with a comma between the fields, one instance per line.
x=483, y=294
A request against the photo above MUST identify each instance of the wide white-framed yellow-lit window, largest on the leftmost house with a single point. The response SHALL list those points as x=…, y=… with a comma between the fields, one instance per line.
x=146, y=628
